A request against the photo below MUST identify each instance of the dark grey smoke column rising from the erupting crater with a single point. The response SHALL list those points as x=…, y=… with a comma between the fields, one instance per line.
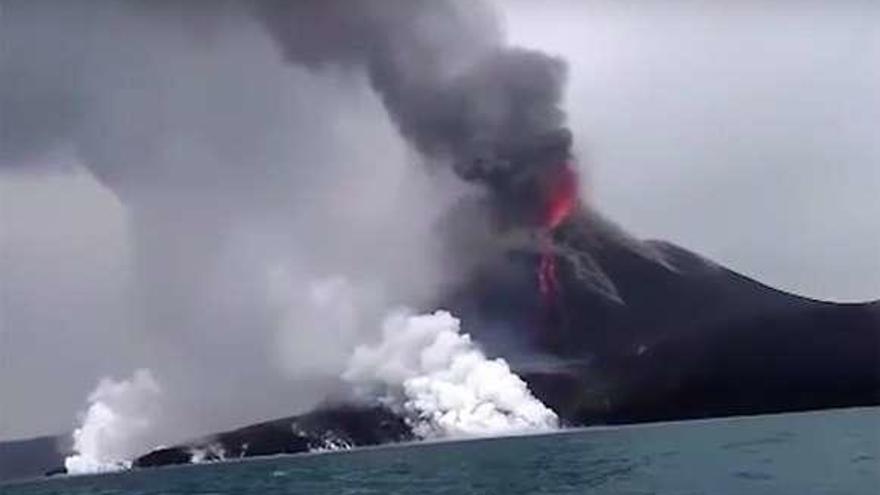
x=457, y=93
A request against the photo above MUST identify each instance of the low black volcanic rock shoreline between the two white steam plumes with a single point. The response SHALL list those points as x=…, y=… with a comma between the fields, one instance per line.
x=330, y=428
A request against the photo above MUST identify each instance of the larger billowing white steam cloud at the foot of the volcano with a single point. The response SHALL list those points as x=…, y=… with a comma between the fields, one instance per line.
x=442, y=383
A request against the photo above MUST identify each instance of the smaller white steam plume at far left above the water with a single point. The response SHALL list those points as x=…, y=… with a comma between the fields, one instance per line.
x=117, y=425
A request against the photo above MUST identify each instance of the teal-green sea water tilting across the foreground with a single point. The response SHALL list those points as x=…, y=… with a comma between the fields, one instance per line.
x=830, y=453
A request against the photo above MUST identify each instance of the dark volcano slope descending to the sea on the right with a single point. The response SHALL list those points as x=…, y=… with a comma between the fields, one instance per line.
x=647, y=331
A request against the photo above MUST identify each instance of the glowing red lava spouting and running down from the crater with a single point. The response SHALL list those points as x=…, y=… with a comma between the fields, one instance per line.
x=561, y=196
